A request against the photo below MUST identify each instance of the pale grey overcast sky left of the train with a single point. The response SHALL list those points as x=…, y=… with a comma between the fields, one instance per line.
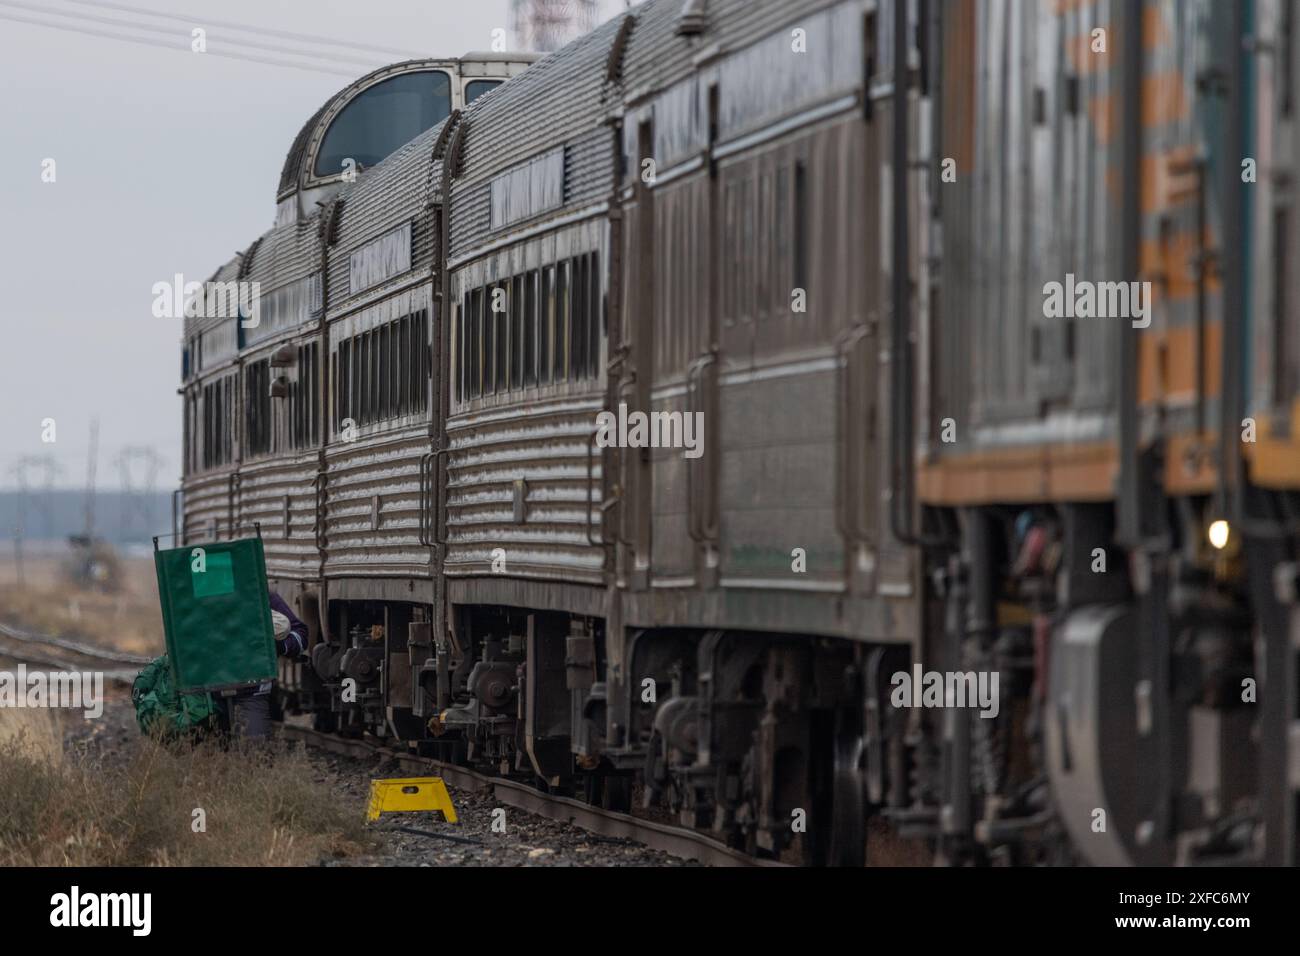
x=167, y=162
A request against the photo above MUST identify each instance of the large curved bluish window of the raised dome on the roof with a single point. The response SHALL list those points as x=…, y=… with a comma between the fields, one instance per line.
x=382, y=119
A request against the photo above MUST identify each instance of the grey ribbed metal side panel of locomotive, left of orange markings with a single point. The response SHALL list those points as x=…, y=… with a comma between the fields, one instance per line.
x=1030, y=205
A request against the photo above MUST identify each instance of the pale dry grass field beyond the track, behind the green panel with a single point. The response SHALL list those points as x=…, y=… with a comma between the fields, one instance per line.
x=49, y=604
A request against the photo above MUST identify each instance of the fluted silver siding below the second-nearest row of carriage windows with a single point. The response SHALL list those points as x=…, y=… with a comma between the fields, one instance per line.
x=358, y=474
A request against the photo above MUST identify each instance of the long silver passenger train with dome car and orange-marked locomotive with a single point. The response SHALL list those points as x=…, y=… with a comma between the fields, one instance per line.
x=865, y=431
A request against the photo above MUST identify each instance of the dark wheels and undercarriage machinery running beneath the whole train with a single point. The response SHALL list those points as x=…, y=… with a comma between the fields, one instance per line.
x=833, y=752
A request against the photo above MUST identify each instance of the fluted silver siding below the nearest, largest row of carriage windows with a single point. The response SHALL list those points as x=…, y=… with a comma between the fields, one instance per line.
x=549, y=452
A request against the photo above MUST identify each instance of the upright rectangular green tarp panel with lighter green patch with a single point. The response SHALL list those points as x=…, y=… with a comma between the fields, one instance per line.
x=216, y=615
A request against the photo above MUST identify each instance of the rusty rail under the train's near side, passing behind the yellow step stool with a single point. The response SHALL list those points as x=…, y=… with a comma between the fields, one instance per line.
x=662, y=837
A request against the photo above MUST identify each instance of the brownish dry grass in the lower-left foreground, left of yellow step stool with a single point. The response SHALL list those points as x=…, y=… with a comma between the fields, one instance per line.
x=266, y=808
